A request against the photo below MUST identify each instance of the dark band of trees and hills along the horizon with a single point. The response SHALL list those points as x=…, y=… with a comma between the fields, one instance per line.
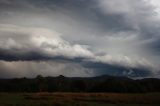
x=104, y=83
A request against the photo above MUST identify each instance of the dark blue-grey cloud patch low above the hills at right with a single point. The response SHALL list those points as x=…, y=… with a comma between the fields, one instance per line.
x=115, y=70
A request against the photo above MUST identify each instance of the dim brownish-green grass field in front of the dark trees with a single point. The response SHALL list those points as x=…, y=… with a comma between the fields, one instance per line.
x=79, y=99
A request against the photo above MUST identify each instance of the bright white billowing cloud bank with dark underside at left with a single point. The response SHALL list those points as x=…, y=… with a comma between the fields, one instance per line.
x=21, y=43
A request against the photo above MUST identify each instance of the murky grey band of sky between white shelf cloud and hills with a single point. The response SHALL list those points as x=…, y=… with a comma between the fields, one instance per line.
x=68, y=67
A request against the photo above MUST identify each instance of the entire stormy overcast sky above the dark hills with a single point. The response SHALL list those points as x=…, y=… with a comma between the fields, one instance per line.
x=79, y=38
